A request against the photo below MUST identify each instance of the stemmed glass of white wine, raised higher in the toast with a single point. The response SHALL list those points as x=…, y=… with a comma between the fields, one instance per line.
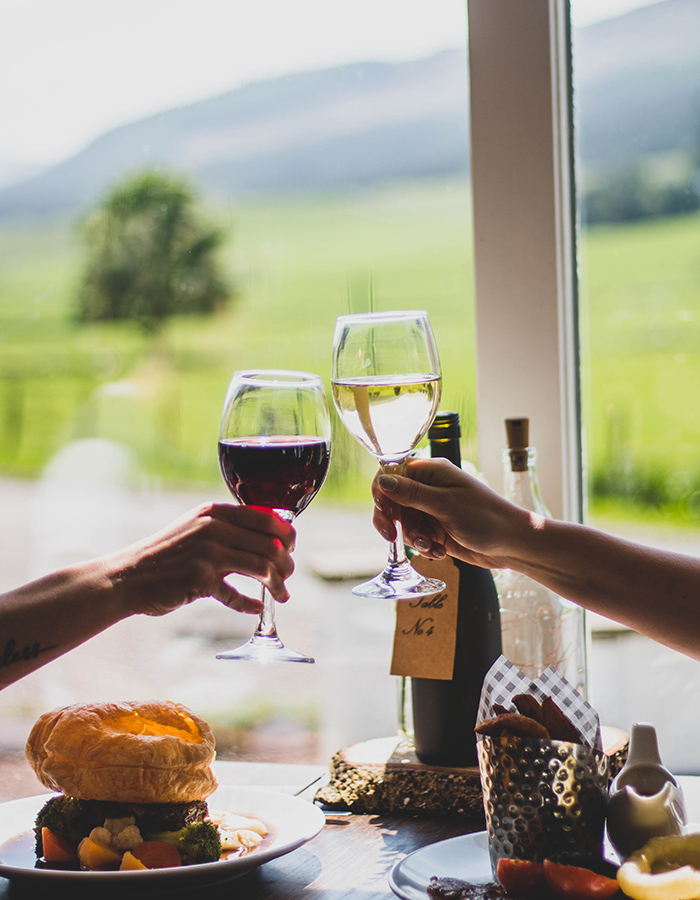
x=387, y=382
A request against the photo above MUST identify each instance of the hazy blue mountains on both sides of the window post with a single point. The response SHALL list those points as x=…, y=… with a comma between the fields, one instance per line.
x=639, y=92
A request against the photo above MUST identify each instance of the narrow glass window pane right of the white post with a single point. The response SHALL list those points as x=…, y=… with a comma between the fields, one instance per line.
x=637, y=76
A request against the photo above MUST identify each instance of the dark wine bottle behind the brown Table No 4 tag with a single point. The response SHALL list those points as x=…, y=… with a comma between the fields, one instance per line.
x=444, y=712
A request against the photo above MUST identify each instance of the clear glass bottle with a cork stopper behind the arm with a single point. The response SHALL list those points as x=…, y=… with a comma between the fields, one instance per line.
x=539, y=628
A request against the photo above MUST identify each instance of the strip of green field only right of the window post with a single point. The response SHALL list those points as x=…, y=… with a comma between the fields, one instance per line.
x=642, y=363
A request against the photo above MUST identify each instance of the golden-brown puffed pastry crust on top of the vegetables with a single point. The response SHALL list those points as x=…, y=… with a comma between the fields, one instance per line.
x=130, y=752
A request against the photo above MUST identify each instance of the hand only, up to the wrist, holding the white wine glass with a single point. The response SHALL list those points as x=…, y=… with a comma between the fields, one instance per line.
x=444, y=510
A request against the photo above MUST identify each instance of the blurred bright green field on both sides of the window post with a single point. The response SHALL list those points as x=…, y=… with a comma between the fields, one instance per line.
x=299, y=262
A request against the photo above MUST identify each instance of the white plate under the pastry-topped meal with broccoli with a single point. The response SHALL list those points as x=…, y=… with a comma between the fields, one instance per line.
x=291, y=821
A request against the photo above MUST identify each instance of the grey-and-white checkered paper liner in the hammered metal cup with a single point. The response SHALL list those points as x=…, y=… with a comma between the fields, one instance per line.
x=504, y=680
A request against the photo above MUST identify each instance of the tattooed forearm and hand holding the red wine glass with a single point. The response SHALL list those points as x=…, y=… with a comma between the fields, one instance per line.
x=188, y=559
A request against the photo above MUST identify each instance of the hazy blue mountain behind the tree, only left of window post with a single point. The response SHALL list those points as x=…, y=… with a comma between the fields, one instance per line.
x=353, y=124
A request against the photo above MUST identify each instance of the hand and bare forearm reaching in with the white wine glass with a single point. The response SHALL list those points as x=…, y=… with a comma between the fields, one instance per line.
x=445, y=510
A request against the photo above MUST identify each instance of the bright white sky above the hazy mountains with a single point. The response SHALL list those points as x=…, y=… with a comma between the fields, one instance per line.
x=72, y=69
